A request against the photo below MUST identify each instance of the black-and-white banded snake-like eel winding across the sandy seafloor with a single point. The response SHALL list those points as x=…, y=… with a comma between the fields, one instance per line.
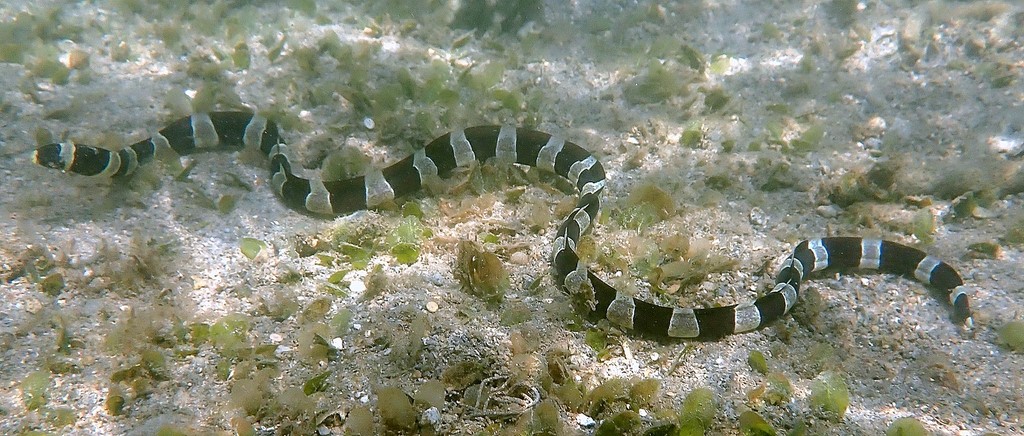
x=233, y=130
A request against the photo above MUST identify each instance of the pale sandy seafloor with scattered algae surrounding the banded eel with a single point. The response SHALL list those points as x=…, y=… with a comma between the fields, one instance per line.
x=934, y=86
